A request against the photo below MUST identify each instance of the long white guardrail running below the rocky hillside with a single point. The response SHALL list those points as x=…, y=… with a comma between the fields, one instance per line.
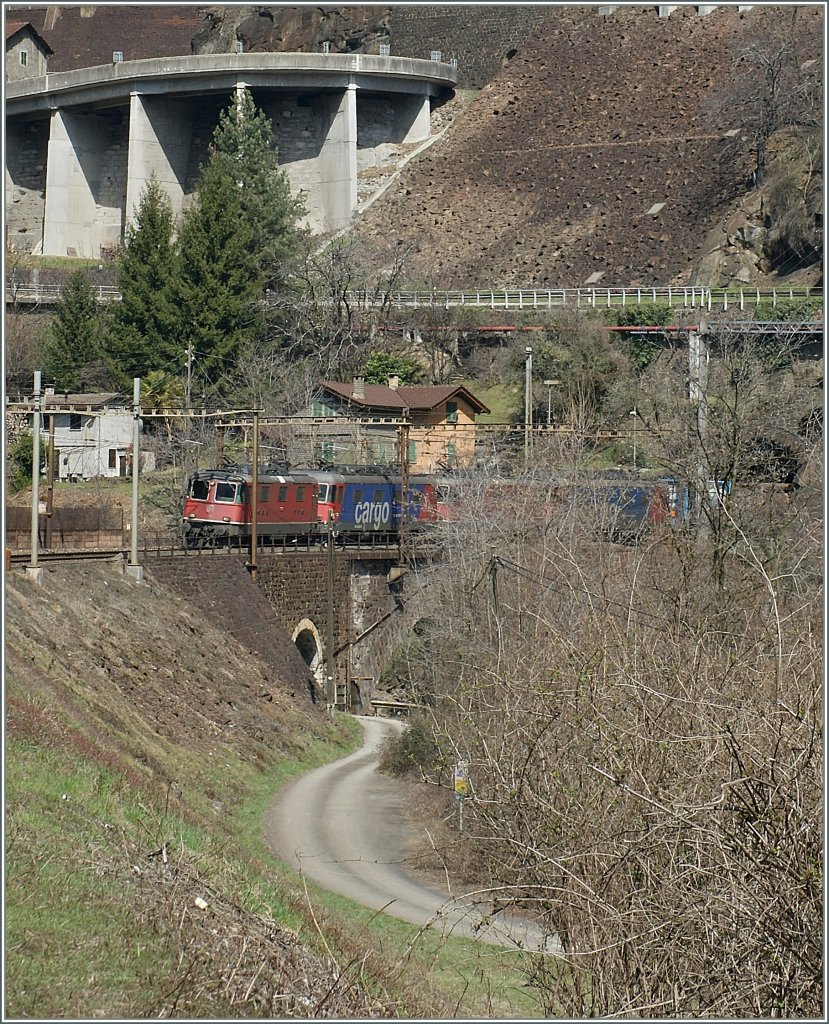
x=691, y=297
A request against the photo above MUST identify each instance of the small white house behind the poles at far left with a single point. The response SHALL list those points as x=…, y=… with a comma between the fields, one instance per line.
x=93, y=436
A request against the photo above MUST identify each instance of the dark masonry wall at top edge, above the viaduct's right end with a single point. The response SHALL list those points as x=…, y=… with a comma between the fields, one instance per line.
x=482, y=38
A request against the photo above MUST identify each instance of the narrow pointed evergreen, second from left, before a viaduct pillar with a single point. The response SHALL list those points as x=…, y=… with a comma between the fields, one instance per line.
x=144, y=323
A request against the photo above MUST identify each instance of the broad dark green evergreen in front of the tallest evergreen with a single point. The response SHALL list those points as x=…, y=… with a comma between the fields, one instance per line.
x=220, y=283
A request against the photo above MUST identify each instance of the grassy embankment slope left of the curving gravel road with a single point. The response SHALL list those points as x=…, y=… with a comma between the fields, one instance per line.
x=143, y=748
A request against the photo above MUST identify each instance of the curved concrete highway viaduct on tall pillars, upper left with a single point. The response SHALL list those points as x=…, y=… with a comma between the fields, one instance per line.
x=82, y=145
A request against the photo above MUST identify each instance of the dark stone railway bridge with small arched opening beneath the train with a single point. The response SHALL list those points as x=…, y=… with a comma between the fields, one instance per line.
x=283, y=615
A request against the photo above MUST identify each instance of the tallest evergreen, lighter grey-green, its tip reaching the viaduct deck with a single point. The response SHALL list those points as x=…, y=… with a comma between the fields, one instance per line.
x=244, y=146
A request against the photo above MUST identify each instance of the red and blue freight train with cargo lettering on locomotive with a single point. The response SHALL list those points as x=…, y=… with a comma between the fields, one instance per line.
x=360, y=502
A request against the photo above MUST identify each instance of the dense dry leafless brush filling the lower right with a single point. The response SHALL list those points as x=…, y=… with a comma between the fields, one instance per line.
x=644, y=723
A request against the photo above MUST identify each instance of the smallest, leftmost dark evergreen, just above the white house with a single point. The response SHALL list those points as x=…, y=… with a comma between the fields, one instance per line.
x=74, y=347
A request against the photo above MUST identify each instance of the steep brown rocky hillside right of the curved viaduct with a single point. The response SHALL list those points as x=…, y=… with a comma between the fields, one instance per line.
x=605, y=153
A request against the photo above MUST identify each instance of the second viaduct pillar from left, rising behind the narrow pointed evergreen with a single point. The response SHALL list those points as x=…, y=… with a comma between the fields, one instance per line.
x=159, y=144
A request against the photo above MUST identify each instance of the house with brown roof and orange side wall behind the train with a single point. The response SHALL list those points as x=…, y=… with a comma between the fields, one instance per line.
x=362, y=423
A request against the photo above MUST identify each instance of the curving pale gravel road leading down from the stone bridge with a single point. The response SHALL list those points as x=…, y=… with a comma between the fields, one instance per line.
x=343, y=826
